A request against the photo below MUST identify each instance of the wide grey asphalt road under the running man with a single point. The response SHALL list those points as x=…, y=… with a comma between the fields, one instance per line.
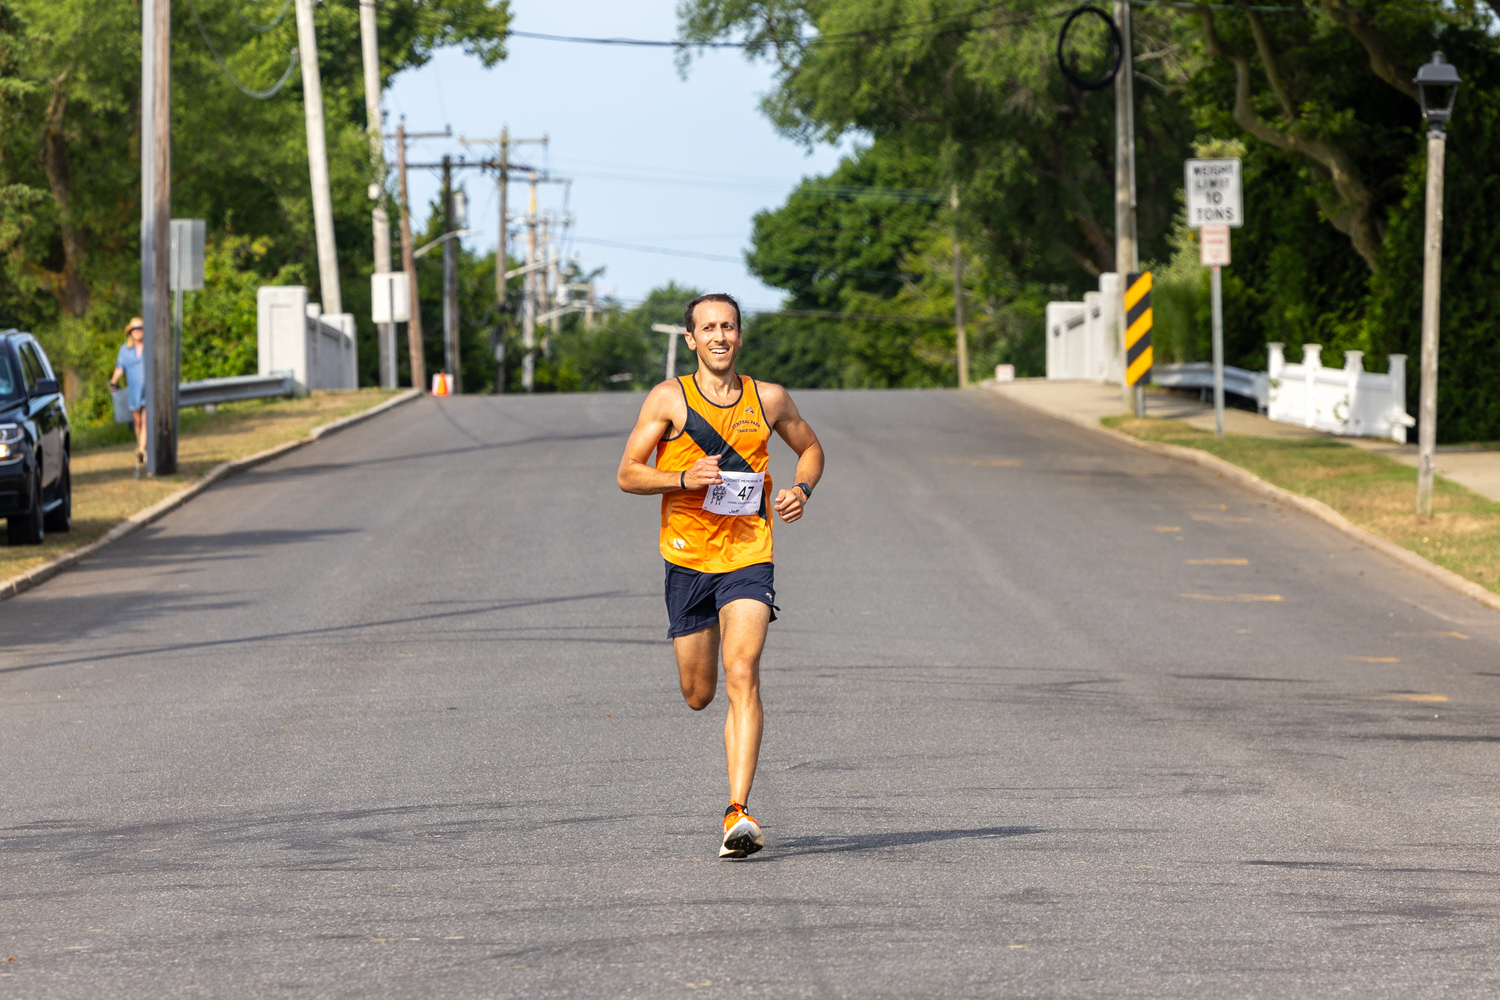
x=397, y=717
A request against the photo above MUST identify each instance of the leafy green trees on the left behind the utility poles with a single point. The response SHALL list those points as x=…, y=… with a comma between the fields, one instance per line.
x=70, y=163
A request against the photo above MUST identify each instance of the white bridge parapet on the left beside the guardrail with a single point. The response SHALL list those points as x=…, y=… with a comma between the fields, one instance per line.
x=295, y=337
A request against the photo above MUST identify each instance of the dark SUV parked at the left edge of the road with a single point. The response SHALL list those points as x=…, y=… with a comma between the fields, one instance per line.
x=37, y=493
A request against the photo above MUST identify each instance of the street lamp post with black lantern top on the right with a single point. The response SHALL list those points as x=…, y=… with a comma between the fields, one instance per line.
x=1436, y=76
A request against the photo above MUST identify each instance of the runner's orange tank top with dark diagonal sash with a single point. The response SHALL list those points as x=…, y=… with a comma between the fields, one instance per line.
x=694, y=537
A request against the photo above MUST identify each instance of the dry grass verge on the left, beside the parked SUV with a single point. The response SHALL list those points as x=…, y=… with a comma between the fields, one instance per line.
x=106, y=490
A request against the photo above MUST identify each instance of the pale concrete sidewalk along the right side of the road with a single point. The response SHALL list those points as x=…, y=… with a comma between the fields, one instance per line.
x=1474, y=467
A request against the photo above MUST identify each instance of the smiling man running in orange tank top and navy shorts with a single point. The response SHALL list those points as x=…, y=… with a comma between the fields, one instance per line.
x=710, y=434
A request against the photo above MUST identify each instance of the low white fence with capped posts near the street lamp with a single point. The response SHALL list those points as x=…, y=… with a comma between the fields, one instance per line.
x=1346, y=401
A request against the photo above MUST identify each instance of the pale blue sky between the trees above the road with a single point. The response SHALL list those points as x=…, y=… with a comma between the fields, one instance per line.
x=656, y=160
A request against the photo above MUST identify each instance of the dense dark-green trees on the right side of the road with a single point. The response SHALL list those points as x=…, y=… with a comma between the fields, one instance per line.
x=968, y=95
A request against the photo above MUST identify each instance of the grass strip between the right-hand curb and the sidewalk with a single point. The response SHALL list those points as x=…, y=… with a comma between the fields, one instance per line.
x=1369, y=490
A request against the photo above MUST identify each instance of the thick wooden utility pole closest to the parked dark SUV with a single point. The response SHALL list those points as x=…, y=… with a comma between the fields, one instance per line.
x=157, y=214
